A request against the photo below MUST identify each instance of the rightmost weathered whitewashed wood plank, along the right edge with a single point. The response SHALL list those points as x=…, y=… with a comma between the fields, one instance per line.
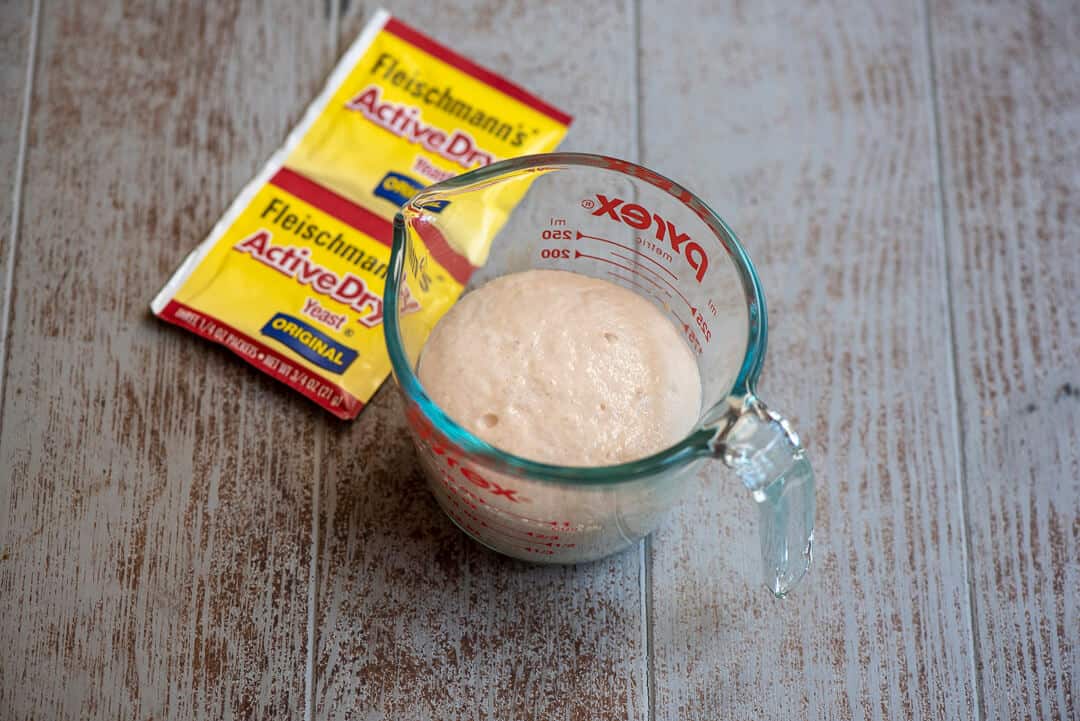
x=1009, y=94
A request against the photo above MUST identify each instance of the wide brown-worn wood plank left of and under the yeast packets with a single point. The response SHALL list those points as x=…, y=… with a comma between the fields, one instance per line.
x=156, y=493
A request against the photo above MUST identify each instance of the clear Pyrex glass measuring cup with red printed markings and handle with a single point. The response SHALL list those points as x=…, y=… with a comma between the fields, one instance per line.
x=623, y=223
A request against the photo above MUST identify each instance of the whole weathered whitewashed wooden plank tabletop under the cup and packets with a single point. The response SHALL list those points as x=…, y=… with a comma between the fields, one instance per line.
x=181, y=538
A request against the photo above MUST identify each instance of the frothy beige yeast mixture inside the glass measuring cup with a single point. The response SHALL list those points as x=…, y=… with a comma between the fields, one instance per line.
x=563, y=369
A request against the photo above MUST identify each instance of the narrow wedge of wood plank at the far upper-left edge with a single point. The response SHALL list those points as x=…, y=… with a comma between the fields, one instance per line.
x=17, y=24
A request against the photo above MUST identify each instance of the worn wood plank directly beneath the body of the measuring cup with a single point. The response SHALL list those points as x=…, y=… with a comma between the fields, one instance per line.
x=417, y=622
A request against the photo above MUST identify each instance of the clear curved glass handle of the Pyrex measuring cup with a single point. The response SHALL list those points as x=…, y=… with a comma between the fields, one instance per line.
x=766, y=454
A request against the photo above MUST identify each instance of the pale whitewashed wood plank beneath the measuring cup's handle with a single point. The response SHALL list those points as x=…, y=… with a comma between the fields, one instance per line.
x=809, y=126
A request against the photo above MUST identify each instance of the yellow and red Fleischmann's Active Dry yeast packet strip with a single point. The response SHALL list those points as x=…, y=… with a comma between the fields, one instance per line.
x=291, y=279
